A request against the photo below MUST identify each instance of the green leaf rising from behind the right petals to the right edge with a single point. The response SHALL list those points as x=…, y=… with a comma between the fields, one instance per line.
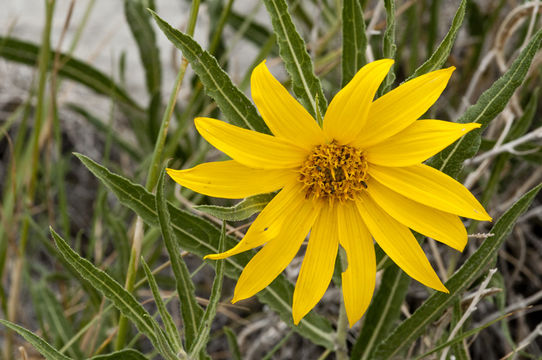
x=488, y=106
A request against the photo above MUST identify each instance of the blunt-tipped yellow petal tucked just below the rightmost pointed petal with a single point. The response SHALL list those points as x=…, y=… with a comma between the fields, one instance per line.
x=439, y=225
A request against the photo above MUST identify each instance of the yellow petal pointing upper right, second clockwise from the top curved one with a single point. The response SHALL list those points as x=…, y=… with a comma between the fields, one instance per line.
x=402, y=106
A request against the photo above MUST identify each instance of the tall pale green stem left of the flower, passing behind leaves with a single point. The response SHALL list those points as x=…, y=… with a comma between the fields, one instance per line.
x=152, y=178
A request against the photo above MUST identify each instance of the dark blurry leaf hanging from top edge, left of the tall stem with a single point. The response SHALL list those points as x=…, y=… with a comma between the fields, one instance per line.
x=139, y=21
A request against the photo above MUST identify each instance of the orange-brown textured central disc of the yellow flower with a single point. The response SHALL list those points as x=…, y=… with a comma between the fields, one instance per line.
x=334, y=171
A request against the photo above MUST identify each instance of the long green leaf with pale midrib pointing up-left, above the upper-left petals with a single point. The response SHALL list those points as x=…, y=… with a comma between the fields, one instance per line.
x=236, y=107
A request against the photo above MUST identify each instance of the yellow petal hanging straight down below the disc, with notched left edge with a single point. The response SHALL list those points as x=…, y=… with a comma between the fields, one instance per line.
x=358, y=281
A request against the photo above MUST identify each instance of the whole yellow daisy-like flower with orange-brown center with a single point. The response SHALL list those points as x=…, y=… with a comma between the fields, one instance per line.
x=358, y=178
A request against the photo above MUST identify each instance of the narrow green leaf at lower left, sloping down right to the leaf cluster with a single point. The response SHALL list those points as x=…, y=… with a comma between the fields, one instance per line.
x=122, y=299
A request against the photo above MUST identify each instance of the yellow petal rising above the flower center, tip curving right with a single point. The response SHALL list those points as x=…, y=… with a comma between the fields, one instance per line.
x=347, y=112
